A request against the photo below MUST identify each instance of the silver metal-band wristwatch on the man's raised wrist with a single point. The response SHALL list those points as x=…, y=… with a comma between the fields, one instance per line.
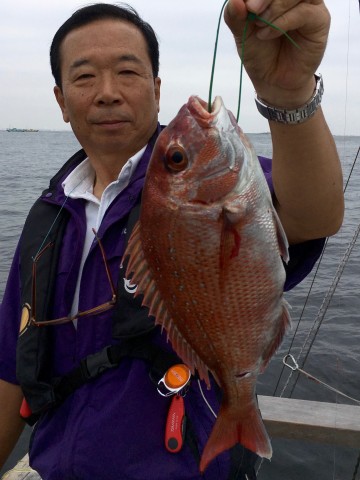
x=297, y=115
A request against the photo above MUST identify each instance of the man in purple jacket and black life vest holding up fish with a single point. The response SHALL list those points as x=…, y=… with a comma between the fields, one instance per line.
x=101, y=418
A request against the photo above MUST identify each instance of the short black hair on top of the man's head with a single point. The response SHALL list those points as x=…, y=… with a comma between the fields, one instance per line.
x=101, y=11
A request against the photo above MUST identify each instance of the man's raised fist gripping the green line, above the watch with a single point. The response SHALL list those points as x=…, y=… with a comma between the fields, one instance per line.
x=282, y=74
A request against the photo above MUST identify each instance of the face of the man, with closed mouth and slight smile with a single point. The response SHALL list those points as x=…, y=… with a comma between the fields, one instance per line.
x=108, y=92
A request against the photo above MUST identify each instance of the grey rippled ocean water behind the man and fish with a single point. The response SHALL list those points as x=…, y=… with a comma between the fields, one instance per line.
x=27, y=162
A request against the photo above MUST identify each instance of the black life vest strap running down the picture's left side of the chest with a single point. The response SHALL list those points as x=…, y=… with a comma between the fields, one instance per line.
x=40, y=243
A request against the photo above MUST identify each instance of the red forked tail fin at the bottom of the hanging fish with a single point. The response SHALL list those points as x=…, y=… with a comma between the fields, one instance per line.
x=229, y=430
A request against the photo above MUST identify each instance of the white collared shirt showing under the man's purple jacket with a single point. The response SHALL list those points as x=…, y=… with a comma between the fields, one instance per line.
x=80, y=184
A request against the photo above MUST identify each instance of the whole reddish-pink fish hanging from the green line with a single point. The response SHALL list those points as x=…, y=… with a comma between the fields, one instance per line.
x=206, y=254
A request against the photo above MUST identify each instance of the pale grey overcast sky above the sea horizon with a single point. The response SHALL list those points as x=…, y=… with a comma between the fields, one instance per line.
x=186, y=31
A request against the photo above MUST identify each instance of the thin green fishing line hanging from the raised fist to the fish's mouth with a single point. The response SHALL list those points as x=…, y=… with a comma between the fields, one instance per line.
x=250, y=17
